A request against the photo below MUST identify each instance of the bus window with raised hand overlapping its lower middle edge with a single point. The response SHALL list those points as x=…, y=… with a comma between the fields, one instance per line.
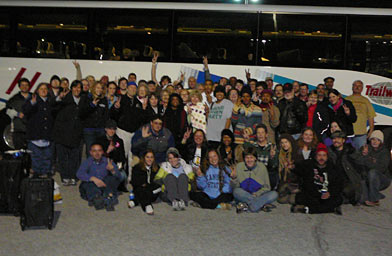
x=222, y=37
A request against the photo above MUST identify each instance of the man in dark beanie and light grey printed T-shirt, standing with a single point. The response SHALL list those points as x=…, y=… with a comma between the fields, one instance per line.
x=218, y=117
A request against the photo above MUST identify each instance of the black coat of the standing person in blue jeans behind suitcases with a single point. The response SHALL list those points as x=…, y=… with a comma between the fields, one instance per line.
x=39, y=118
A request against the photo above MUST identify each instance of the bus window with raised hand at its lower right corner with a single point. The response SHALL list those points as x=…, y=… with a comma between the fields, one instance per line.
x=133, y=34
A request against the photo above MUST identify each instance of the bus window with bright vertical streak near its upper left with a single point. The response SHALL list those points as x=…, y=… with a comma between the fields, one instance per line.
x=302, y=40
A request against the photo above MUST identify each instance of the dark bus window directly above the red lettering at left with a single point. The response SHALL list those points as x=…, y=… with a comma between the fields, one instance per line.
x=51, y=33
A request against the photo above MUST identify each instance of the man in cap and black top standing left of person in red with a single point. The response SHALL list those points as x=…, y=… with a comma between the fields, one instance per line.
x=293, y=113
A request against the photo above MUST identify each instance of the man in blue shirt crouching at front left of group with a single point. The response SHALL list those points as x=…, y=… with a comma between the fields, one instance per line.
x=100, y=178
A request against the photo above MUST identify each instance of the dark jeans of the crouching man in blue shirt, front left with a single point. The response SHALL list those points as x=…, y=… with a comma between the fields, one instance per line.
x=88, y=190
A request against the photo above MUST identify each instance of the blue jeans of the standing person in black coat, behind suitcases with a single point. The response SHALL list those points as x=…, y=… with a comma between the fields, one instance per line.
x=41, y=158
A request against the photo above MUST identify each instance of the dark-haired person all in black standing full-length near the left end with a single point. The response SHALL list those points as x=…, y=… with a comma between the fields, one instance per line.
x=67, y=133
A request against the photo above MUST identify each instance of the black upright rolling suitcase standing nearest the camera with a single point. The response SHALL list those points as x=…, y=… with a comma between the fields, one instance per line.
x=37, y=203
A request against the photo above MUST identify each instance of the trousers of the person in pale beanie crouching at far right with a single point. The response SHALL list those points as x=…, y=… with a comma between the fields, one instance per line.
x=374, y=183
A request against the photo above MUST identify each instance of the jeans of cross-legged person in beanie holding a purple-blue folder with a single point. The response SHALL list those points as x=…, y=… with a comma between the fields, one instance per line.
x=254, y=203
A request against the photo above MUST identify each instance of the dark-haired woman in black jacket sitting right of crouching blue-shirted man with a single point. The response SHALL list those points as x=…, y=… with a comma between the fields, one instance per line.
x=145, y=189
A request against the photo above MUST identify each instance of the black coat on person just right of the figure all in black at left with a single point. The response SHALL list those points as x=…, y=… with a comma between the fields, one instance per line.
x=93, y=116
